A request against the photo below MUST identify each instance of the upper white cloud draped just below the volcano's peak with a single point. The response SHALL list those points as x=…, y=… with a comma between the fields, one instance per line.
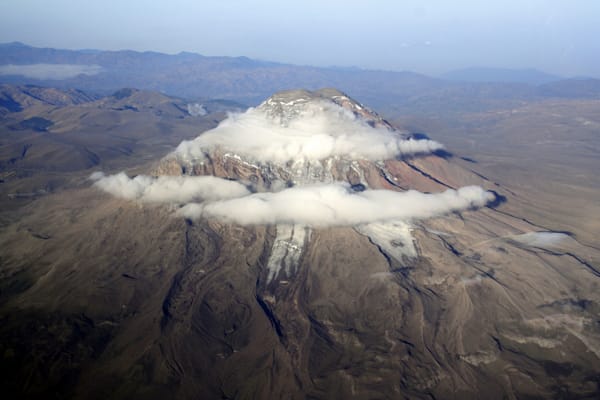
x=320, y=130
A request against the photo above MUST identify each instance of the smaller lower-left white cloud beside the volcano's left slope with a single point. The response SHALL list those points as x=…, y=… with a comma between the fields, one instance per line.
x=169, y=189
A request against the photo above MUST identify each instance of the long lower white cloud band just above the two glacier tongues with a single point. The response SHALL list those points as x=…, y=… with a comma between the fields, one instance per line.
x=337, y=204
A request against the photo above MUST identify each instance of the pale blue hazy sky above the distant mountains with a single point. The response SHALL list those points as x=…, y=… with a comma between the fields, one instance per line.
x=432, y=37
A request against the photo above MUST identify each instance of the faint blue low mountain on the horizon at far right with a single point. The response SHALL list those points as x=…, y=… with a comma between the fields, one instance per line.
x=481, y=74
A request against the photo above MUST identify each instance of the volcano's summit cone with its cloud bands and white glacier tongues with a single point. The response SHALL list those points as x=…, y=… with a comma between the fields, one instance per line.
x=302, y=160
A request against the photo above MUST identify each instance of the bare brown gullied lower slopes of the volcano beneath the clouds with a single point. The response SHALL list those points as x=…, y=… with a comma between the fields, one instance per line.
x=104, y=298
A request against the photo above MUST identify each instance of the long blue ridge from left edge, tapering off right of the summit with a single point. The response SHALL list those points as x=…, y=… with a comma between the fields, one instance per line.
x=189, y=75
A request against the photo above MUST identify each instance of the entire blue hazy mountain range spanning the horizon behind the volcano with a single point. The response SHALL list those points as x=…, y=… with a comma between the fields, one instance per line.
x=249, y=81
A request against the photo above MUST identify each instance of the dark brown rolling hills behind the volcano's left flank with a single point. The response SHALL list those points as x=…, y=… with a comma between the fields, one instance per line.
x=46, y=147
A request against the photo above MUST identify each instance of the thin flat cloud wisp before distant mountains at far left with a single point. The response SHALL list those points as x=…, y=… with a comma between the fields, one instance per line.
x=50, y=71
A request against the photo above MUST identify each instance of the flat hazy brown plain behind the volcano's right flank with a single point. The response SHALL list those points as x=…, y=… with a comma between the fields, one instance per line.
x=545, y=152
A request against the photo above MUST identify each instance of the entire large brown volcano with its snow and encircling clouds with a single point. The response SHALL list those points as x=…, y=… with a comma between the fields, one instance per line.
x=305, y=248
